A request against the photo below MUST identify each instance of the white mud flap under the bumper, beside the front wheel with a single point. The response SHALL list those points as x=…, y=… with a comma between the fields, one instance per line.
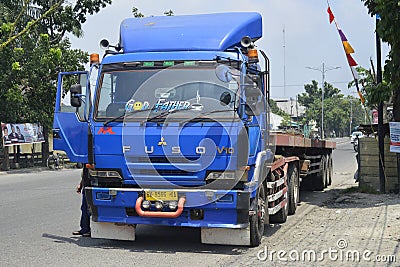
x=224, y=236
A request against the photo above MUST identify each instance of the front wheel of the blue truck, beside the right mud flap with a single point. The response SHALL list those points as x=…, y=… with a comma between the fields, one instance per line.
x=258, y=220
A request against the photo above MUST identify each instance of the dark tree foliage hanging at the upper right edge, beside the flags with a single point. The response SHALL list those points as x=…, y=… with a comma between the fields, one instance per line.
x=389, y=30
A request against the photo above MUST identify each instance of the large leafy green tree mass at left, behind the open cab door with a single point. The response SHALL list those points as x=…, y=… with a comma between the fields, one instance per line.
x=33, y=50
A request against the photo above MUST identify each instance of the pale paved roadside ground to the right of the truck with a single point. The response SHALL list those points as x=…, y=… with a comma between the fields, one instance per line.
x=337, y=227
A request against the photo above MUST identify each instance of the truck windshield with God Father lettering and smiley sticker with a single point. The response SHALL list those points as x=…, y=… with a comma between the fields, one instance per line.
x=192, y=89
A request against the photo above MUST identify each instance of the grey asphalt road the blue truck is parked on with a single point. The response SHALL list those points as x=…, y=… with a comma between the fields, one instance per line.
x=39, y=210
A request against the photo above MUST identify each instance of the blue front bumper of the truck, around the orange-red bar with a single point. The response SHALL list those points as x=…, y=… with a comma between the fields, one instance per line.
x=218, y=208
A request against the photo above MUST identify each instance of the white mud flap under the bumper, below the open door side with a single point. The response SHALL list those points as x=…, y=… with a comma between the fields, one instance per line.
x=113, y=231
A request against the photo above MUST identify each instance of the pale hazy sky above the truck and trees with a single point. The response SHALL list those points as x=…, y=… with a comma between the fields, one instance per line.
x=296, y=35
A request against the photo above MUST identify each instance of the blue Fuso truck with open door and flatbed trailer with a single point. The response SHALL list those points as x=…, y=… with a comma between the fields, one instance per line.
x=172, y=125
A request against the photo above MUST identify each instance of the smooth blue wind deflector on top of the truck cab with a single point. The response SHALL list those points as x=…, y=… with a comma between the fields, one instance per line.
x=204, y=32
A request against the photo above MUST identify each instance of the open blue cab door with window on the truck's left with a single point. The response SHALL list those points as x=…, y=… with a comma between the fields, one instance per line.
x=70, y=126
